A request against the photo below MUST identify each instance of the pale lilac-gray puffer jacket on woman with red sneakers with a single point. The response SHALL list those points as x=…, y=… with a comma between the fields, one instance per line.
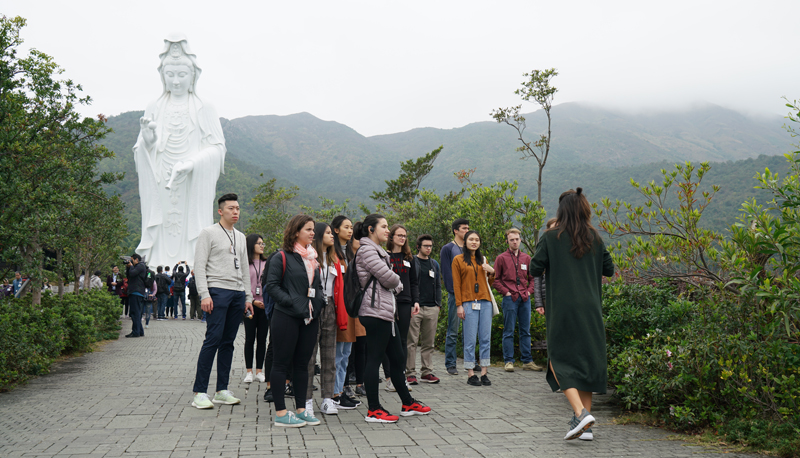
x=372, y=260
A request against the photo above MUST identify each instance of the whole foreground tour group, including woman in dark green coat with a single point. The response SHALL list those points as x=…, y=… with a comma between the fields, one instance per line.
x=296, y=297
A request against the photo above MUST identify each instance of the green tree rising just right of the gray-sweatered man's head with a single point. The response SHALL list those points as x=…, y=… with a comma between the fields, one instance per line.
x=270, y=212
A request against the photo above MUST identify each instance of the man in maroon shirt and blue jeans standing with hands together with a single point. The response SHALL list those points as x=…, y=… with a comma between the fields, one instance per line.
x=514, y=281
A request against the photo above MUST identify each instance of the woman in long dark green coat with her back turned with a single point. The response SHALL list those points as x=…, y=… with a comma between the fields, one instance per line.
x=575, y=259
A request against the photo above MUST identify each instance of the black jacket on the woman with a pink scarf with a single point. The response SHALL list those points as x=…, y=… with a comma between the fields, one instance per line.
x=289, y=289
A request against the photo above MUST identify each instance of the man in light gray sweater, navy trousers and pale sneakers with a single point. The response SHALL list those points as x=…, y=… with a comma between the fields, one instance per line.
x=222, y=277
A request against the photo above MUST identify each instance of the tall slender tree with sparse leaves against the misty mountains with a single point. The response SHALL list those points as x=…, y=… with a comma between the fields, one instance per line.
x=539, y=90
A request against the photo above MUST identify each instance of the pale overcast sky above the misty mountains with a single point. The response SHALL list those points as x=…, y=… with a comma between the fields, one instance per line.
x=383, y=67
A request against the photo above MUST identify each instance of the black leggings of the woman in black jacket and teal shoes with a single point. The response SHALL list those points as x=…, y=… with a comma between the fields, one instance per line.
x=294, y=341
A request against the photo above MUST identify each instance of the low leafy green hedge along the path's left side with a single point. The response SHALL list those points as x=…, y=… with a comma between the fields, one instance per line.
x=32, y=337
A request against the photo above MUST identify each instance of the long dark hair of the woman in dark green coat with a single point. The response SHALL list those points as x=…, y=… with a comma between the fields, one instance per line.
x=574, y=216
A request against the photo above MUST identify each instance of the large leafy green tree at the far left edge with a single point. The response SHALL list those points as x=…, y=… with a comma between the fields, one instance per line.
x=48, y=153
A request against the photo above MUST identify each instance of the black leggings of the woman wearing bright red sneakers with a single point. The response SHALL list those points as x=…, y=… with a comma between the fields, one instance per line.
x=380, y=341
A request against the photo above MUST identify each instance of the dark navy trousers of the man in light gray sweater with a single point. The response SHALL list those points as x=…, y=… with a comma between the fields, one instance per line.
x=222, y=326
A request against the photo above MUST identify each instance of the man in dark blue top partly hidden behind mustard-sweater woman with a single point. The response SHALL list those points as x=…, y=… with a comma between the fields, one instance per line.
x=460, y=227
